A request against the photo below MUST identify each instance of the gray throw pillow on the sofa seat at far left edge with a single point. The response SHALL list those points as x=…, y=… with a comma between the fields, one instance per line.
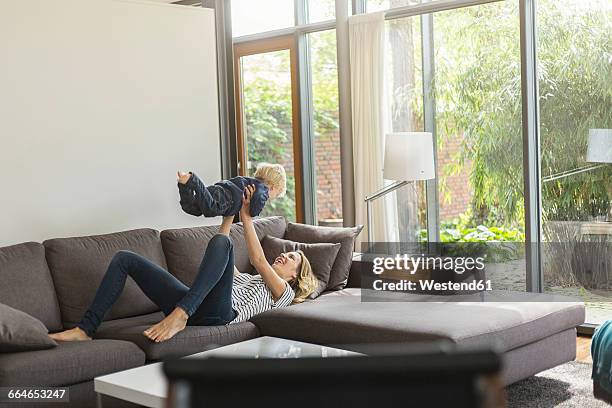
x=21, y=332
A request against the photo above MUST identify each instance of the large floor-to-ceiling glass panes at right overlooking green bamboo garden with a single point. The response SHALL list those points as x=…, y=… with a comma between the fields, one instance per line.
x=470, y=60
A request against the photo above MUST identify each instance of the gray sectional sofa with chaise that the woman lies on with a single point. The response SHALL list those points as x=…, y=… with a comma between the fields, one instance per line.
x=54, y=282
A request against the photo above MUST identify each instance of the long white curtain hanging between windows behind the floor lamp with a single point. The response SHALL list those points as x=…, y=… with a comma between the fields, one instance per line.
x=367, y=39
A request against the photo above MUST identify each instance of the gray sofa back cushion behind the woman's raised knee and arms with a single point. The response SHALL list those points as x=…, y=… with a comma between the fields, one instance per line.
x=184, y=248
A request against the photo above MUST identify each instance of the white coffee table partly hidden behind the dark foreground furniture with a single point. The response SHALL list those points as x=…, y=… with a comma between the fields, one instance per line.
x=147, y=385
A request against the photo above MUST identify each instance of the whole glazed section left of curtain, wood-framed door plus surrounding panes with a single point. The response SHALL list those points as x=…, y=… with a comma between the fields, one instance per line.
x=272, y=120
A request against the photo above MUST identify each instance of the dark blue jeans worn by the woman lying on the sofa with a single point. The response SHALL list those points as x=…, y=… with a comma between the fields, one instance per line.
x=208, y=302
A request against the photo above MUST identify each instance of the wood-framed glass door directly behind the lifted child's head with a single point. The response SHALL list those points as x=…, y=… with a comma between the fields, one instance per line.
x=267, y=127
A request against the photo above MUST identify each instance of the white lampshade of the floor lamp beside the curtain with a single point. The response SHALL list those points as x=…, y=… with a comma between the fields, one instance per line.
x=409, y=156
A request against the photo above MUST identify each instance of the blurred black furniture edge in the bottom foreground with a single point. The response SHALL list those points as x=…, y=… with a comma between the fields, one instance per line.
x=424, y=378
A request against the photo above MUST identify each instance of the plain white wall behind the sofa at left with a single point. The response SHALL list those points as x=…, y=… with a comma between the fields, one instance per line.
x=101, y=101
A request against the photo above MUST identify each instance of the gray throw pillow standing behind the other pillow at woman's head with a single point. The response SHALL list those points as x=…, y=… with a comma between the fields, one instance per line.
x=345, y=236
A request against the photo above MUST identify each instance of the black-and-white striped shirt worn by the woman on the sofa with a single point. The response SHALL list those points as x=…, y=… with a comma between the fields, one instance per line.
x=251, y=296
